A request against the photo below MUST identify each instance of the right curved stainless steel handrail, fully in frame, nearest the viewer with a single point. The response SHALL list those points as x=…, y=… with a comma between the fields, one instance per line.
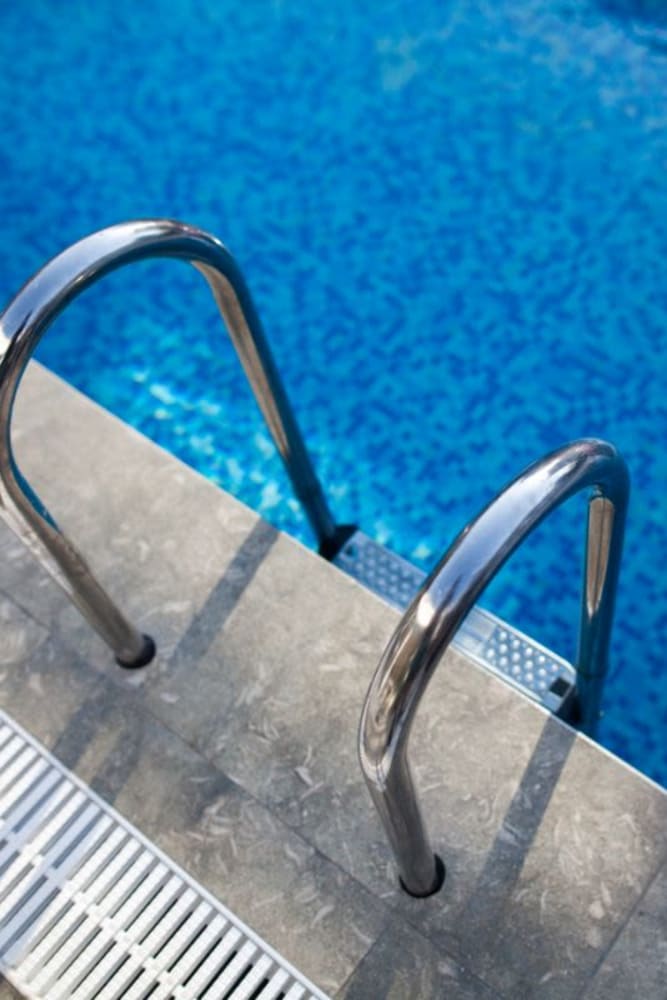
x=449, y=593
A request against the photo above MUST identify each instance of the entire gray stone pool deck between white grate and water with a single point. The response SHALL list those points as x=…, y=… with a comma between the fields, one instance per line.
x=235, y=750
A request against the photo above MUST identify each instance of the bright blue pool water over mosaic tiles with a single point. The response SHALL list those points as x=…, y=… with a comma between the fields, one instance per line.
x=453, y=218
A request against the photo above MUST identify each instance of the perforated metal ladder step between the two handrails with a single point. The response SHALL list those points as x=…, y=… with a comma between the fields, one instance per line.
x=488, y=640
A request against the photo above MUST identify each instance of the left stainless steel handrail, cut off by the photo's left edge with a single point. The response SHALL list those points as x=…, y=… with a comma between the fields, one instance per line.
x=24, y=322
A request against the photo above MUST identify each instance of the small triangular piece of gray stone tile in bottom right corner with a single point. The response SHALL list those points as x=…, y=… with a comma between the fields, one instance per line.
x=636, y=965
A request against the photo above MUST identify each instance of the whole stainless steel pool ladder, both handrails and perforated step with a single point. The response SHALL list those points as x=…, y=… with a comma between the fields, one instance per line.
x=441, y=609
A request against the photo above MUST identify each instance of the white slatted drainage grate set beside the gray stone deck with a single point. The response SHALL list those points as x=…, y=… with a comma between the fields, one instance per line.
x=91, y=910
